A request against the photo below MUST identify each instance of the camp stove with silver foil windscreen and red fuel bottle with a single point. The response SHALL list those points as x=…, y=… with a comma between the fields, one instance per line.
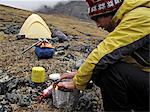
x=61, y=97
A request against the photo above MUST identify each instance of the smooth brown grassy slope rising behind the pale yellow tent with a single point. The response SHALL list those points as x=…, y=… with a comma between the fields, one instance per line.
x=69, y=25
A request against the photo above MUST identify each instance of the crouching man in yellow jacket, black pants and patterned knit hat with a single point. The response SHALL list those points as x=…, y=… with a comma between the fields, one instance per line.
x=120, y=63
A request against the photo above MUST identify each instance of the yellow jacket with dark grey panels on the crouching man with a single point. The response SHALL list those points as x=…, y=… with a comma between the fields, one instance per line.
x=133, y=24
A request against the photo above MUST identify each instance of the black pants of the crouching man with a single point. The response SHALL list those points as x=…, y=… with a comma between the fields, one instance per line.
x=123, y=86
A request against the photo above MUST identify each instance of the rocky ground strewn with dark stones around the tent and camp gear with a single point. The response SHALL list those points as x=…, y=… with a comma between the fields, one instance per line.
x=18, y=93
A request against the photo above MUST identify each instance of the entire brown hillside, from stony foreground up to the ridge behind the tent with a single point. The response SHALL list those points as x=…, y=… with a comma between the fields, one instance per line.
x=21, y=95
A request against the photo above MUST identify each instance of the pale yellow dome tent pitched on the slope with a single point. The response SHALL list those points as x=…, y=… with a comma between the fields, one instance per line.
x=35, y=27
